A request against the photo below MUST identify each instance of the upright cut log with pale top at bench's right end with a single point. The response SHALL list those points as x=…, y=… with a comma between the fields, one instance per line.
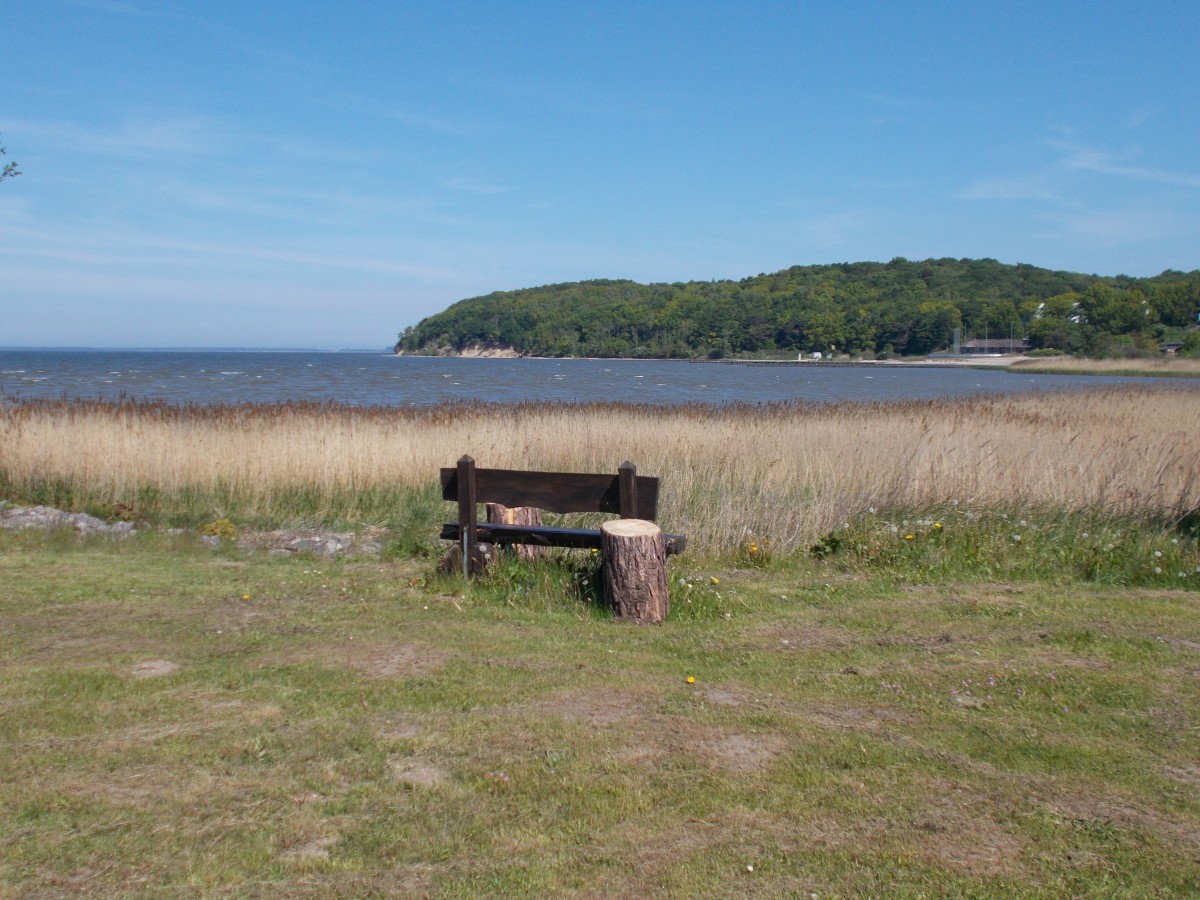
x=635, y=569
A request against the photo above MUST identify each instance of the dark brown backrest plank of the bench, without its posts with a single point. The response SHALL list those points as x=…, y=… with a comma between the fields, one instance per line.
x=555, y=491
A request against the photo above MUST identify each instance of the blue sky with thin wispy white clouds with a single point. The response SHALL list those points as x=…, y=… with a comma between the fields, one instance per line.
x=248, y=175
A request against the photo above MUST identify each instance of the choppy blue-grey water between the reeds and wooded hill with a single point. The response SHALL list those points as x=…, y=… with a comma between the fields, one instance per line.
x=383, y=380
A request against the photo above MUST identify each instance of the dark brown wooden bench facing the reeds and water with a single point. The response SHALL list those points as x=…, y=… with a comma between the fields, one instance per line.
x=627, y=495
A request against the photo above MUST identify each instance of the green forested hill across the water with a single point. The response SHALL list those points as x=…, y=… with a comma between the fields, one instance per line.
x=903, y=307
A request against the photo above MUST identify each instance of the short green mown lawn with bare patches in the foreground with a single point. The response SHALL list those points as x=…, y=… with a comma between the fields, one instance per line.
x=943, y=717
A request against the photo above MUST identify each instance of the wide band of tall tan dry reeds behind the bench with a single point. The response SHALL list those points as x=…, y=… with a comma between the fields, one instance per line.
x=784, y=472
